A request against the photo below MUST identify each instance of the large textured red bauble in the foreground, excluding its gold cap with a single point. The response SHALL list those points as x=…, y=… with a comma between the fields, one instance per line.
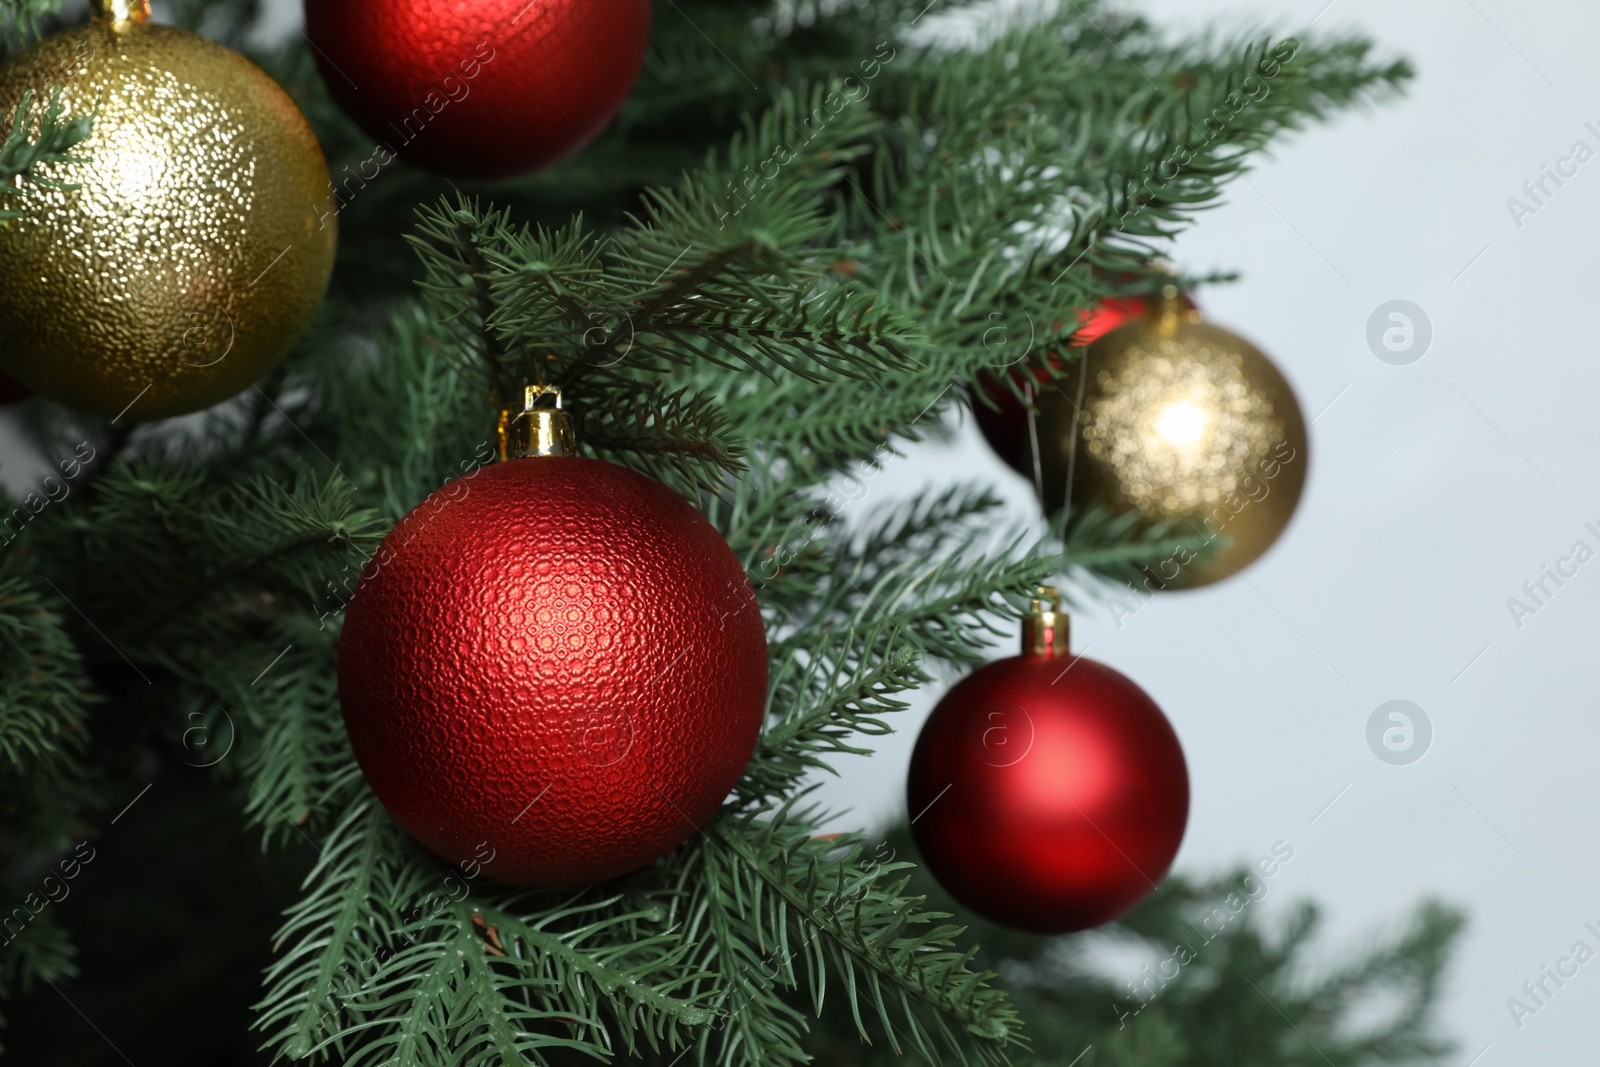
x=554, y=661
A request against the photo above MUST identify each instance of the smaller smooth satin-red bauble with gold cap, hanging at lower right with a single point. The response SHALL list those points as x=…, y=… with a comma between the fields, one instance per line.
x=1049, y=793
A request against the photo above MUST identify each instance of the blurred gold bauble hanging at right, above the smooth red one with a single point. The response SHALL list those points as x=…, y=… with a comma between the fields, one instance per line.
x=1182, y=422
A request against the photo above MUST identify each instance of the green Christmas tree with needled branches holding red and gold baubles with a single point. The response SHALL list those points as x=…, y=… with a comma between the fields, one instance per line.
x=791, y=255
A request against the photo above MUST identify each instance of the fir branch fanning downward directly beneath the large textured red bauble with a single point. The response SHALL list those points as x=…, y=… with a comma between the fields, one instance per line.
x=479, y=980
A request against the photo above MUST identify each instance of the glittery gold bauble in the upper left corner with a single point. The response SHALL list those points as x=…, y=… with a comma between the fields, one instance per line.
x=198, y=241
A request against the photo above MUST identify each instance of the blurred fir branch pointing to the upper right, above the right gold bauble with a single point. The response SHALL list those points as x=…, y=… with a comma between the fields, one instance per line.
x=1017, y=206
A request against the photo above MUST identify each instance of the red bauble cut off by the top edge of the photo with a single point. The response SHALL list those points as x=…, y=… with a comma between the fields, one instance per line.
x=479, y=89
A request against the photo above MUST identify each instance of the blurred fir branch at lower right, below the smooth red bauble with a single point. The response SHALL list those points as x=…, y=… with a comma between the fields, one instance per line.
x=1228, y=988
